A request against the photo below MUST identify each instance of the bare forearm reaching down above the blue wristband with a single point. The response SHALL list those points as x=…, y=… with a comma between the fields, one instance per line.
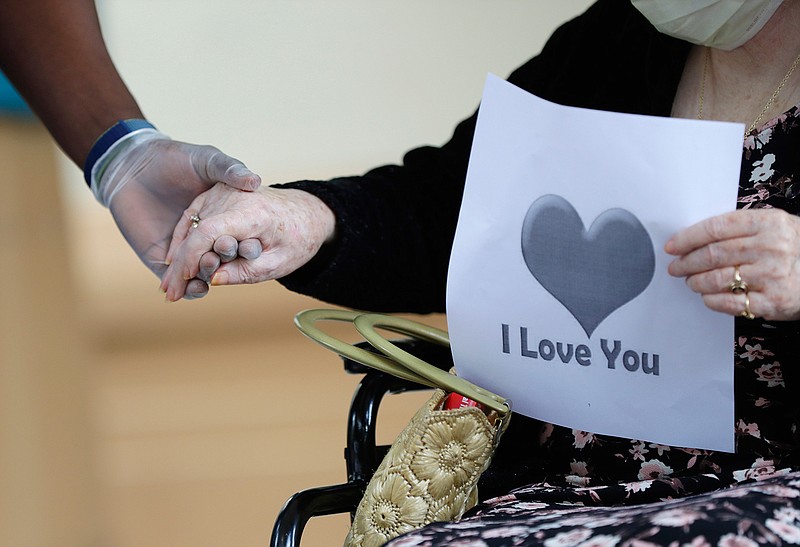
x=53, y=51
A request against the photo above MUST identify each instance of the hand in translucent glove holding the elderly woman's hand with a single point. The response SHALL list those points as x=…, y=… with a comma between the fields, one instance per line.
x=149, y=180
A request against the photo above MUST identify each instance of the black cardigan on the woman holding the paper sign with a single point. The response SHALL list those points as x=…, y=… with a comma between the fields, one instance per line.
x=396, y=223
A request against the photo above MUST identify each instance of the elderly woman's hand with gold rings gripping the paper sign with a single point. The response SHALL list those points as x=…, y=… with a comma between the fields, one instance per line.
x=764, y=244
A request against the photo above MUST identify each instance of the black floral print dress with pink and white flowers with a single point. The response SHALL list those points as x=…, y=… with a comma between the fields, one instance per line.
x=585, y=490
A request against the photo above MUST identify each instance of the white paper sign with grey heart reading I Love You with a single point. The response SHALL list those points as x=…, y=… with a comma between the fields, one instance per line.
x=558, y=293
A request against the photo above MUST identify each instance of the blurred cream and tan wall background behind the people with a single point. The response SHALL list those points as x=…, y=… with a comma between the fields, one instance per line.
x=190, y=423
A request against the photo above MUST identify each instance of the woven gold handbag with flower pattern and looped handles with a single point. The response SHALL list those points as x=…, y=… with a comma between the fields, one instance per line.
x=431, y=471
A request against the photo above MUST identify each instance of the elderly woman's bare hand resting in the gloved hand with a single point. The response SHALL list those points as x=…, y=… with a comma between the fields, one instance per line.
x=290, y=225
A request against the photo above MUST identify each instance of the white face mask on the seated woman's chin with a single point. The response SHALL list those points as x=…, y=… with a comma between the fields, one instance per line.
x=722, y=24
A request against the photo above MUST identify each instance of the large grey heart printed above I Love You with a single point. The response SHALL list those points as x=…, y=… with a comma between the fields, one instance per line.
x=592, y=273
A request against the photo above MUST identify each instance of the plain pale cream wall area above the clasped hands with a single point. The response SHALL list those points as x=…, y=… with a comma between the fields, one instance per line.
x=318, y=88
